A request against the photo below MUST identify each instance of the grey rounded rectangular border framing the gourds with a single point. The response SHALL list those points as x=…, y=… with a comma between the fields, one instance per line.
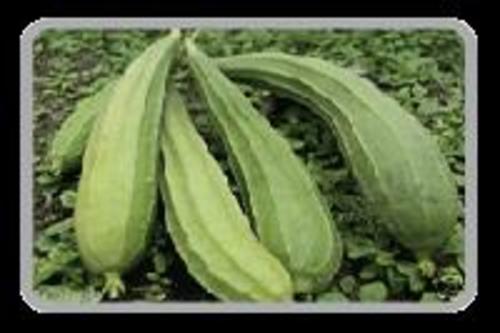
x=31, y=32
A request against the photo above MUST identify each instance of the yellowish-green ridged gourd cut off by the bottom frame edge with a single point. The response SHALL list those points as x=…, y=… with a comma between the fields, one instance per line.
x=207, y=226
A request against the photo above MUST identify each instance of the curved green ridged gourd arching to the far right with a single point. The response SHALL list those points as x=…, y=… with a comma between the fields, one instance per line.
x=395, y=159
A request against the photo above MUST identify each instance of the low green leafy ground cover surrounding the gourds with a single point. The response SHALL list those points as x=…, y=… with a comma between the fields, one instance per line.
x=423, y=70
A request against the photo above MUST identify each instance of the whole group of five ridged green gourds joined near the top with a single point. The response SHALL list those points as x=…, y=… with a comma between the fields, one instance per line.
x=139, y=151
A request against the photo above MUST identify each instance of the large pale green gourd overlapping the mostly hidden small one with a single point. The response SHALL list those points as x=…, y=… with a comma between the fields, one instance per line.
x=117, y=190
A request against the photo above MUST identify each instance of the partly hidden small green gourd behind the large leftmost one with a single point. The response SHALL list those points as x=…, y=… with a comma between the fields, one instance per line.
x=68, y=145
